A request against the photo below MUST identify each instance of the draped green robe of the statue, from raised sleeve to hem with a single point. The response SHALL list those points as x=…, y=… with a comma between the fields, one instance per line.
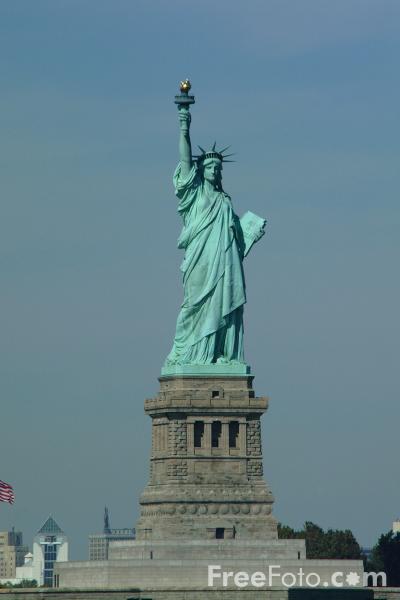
x=210, y=322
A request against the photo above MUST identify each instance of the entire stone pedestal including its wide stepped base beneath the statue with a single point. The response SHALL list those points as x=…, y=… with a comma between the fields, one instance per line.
x=206, y=503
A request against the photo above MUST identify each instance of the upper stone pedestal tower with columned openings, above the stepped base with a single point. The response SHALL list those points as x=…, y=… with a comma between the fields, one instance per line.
x=206, y=474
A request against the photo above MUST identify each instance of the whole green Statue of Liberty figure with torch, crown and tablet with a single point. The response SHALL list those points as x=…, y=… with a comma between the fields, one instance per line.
x=209, y=327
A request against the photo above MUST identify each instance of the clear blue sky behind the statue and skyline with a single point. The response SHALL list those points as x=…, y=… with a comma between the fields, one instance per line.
x=308, y=94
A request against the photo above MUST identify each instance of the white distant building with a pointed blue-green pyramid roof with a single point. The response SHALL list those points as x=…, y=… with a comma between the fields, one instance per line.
x=50, y=545
